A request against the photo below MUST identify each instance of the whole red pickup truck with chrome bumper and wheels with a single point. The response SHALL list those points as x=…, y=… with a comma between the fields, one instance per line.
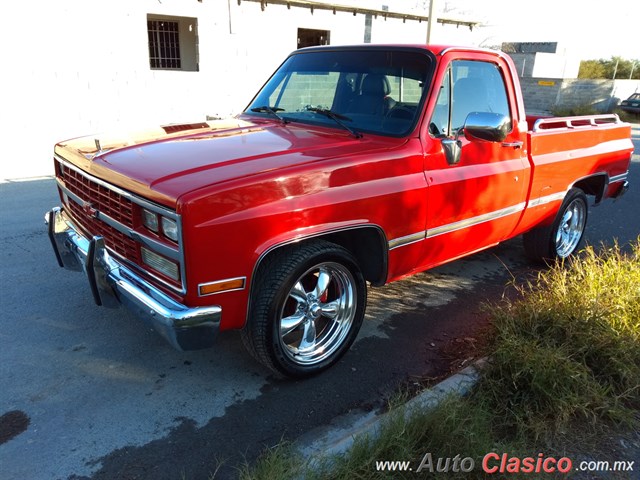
x=351, y=166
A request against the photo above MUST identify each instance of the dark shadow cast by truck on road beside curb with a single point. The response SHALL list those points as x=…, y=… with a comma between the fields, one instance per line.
x=421, y=342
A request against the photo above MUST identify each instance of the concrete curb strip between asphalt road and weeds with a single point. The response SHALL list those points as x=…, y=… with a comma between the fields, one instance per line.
x=337, y=437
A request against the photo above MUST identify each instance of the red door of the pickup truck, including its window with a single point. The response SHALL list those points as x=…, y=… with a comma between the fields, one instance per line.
x=478, y=201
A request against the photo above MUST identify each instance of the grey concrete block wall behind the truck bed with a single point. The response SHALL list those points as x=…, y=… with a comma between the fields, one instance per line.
x=544, y=94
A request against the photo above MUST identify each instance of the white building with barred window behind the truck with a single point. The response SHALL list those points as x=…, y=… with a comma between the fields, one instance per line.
x=77, y=67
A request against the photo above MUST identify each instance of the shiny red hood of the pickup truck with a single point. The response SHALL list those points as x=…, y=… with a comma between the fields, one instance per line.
x=164, y=163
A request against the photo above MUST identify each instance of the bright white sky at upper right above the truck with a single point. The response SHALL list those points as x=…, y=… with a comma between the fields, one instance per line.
x=588, y=29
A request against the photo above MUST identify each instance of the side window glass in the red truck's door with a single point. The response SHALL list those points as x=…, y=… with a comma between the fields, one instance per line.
x=475, y=87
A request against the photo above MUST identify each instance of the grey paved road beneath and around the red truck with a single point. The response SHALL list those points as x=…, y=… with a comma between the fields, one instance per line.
x=100, y=396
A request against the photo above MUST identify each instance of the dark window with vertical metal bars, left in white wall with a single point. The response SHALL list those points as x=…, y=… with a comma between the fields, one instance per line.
x=164, y=44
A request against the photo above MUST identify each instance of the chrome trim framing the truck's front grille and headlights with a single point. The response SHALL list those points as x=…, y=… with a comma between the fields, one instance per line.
x=174, y=254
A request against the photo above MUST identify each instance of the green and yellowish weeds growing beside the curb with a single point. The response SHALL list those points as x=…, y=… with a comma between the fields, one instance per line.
x=565, y=363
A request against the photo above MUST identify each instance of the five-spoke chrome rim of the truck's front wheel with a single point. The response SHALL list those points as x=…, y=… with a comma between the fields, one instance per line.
x=318, y=313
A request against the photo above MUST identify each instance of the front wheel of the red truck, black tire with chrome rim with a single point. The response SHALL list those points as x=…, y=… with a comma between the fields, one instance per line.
x=308, y=305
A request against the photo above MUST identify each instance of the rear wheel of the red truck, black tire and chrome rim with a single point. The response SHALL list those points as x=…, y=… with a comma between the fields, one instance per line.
x=562, y=238
